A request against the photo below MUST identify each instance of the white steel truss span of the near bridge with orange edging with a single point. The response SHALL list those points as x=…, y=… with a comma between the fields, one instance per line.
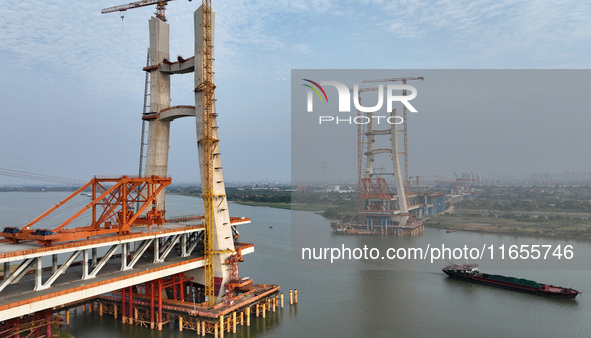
x=36, y=277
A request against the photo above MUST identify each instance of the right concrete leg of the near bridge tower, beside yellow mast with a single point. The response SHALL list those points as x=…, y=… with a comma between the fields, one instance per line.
x=222, y=234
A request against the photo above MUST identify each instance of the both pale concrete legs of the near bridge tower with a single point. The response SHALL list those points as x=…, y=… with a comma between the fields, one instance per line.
x=161, y=114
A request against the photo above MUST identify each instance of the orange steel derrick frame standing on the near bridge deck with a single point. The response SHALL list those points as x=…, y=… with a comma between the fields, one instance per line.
x=111, y=208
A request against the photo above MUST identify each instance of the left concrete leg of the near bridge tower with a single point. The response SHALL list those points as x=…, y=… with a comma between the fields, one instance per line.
x=159, y=131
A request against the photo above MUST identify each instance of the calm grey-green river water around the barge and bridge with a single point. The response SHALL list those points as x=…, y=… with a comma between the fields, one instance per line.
x=409, y=301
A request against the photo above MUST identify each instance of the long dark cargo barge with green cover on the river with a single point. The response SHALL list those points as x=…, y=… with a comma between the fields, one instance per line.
x=471, y=273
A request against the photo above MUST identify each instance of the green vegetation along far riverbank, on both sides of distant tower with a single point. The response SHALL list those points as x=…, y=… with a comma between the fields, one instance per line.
x=558, y=211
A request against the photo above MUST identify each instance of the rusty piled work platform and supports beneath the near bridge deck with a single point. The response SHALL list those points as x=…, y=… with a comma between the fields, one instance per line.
x=144, y=306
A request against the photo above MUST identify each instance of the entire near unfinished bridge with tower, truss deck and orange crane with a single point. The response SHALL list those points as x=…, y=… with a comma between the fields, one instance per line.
x=128, y=259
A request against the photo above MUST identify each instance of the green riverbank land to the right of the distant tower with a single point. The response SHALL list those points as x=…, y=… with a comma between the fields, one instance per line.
x=559, y=211
